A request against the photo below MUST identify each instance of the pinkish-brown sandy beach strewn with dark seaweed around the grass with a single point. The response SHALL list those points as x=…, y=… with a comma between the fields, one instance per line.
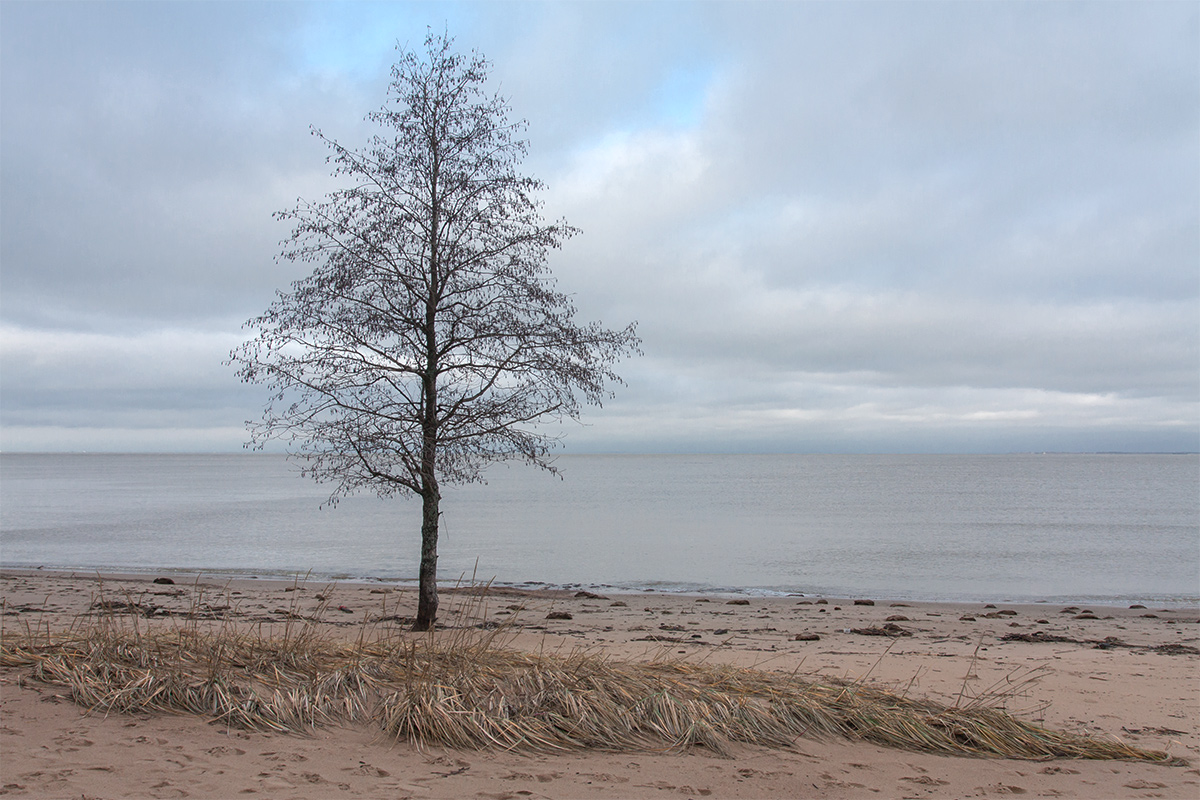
x=1129, y=675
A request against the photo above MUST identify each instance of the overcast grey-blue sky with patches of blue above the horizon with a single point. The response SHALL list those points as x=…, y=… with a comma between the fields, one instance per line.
x=845, y=227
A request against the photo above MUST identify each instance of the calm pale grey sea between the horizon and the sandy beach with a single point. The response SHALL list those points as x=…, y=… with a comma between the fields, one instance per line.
x=1078, y=527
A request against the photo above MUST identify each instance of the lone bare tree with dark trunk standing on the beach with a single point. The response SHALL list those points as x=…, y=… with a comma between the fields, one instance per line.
x=430, y=339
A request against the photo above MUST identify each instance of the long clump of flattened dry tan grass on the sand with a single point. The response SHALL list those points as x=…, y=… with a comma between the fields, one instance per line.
x=463, y=689
